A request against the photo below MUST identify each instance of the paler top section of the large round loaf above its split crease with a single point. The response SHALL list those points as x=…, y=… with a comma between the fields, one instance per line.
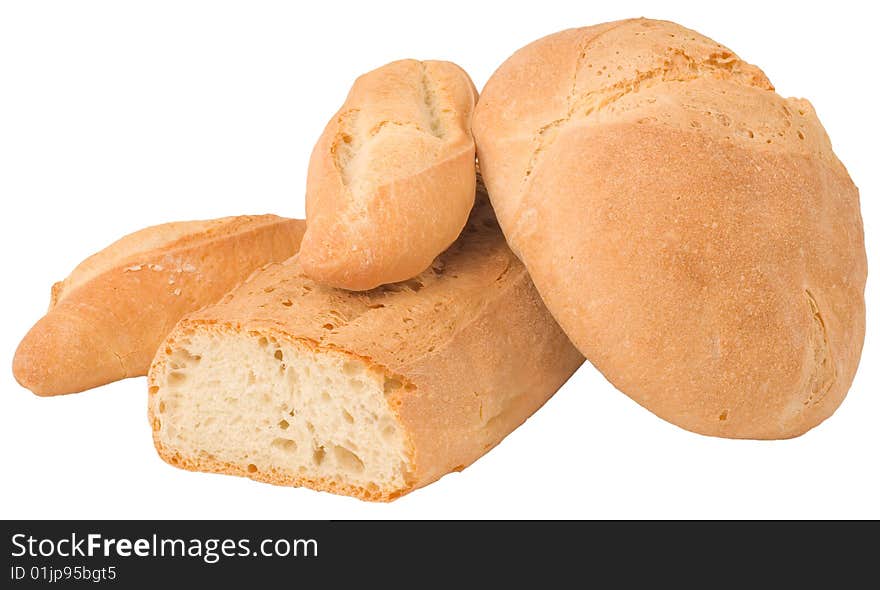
x=577, y=74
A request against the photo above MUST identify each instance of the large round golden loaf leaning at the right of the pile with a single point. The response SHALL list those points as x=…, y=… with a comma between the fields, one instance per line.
x=691, y=230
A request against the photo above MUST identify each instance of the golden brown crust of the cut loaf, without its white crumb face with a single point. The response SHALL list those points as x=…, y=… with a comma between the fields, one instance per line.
x=468, y=348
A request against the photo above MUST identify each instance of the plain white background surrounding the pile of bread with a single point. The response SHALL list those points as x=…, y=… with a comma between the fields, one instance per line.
x=119, y=115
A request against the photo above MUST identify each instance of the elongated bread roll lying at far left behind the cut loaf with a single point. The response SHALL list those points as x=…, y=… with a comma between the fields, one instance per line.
x=107, y=318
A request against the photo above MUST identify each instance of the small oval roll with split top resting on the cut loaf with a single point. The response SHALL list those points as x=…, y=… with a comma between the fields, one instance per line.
x=391, y=179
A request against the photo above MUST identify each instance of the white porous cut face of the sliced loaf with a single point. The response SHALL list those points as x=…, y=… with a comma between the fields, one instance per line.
x=276, y=410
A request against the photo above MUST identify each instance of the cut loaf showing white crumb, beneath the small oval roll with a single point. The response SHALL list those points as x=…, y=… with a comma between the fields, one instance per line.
x=368, y=394
